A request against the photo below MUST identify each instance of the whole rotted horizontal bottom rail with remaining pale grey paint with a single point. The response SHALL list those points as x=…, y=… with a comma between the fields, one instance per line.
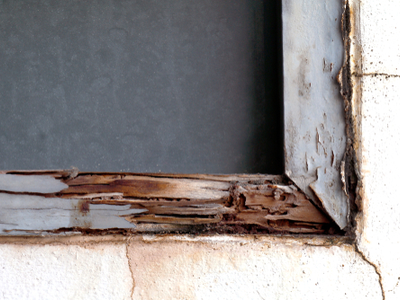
x=49, y=202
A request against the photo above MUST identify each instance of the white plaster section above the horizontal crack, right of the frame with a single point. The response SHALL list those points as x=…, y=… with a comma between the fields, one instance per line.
x=380, y=32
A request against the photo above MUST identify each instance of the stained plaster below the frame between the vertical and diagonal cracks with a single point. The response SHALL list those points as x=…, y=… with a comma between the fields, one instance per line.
x=234, y=269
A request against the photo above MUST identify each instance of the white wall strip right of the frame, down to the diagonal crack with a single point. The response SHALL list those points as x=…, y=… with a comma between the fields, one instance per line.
x=379, y=226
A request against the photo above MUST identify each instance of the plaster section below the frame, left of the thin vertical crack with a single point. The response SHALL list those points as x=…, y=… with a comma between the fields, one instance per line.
x=64, y=272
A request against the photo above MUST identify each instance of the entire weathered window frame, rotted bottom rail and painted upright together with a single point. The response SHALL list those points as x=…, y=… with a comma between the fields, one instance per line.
x=311, y=197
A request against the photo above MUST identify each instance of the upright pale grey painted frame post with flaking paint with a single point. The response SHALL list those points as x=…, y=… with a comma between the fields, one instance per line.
x=315, y=138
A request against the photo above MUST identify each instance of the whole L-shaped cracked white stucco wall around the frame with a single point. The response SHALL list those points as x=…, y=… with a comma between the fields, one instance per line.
x=223, y=267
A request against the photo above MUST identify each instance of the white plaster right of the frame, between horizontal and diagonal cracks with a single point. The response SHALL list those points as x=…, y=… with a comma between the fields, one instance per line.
x=380, y=226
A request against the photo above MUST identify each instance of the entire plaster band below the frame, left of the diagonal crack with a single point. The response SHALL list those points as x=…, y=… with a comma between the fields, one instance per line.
x=150, y=267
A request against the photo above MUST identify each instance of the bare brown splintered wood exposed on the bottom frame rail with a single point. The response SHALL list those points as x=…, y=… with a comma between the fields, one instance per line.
x=219, y=203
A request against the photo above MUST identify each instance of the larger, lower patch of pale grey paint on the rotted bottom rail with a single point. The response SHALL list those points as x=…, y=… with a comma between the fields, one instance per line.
x=27, y=212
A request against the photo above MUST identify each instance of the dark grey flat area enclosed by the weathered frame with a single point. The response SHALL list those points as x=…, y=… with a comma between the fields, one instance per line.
x=182, y=86
